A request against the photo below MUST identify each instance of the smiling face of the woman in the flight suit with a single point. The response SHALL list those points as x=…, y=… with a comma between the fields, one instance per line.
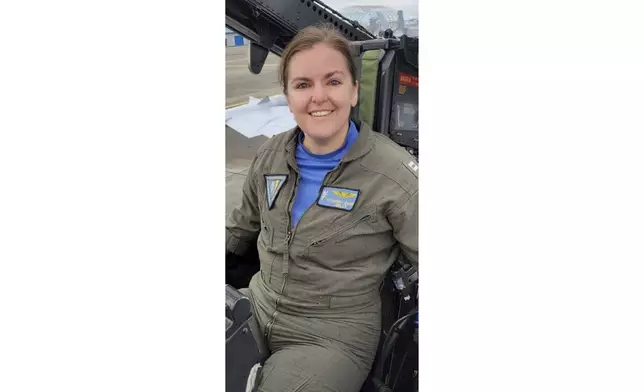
x=320, y=93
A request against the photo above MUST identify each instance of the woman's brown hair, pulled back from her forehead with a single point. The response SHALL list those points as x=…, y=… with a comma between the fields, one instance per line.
x=306, y=39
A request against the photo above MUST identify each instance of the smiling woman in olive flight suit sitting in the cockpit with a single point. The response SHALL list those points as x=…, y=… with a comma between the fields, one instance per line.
x=331, y=206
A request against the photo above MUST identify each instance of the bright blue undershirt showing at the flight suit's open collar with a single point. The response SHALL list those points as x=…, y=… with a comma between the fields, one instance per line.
x=313, y=168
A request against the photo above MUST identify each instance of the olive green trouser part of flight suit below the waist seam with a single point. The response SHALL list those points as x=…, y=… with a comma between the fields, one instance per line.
x=312, y=350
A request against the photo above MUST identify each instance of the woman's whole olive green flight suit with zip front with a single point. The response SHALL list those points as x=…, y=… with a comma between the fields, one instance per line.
x=316, y=298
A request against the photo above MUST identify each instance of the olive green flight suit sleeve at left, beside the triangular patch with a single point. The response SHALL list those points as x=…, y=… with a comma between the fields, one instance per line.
x=243, y=223
